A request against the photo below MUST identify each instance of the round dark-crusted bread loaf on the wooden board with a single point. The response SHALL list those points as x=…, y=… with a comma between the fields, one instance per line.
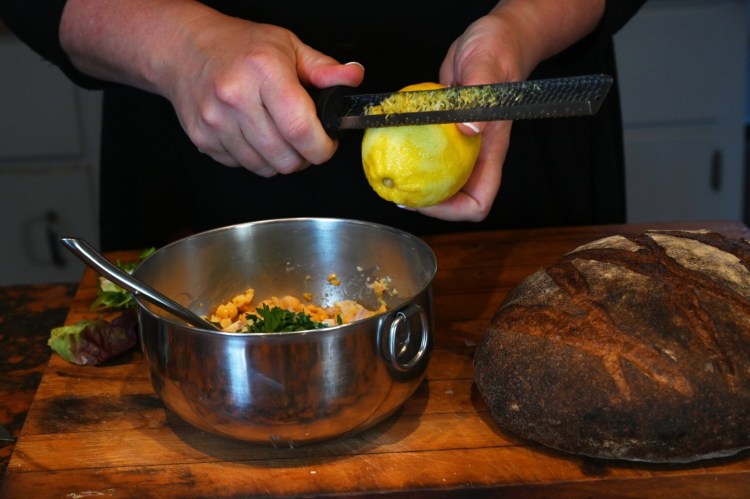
x=630, y=347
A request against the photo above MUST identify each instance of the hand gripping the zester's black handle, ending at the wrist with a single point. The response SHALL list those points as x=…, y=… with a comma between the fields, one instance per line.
x=239, y=96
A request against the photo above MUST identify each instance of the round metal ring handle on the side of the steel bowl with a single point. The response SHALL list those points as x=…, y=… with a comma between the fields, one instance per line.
x=400, y=337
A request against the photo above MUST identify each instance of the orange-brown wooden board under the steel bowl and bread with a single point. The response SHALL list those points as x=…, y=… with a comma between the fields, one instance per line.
x=101, y=431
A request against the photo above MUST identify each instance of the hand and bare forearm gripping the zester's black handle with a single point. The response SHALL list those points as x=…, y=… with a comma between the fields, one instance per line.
x=237, y=86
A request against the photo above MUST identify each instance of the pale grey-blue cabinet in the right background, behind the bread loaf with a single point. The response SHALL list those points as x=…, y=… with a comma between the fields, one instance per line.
x=682, y=70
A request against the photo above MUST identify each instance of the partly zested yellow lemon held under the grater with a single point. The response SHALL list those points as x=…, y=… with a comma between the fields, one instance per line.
x=418, y=166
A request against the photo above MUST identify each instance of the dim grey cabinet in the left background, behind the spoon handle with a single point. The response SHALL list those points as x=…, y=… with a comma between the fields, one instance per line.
x=49, y=147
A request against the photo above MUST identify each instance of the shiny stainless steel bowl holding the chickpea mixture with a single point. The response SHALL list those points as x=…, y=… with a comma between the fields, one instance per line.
x=300, y=387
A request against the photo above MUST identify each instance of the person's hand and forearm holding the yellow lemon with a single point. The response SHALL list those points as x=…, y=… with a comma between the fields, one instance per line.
x=505, y=45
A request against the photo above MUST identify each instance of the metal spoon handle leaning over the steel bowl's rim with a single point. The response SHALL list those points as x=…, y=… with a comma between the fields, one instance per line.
x=96, y=261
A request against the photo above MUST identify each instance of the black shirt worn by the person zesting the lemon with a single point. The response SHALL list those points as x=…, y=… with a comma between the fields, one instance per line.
x=156, y=186
